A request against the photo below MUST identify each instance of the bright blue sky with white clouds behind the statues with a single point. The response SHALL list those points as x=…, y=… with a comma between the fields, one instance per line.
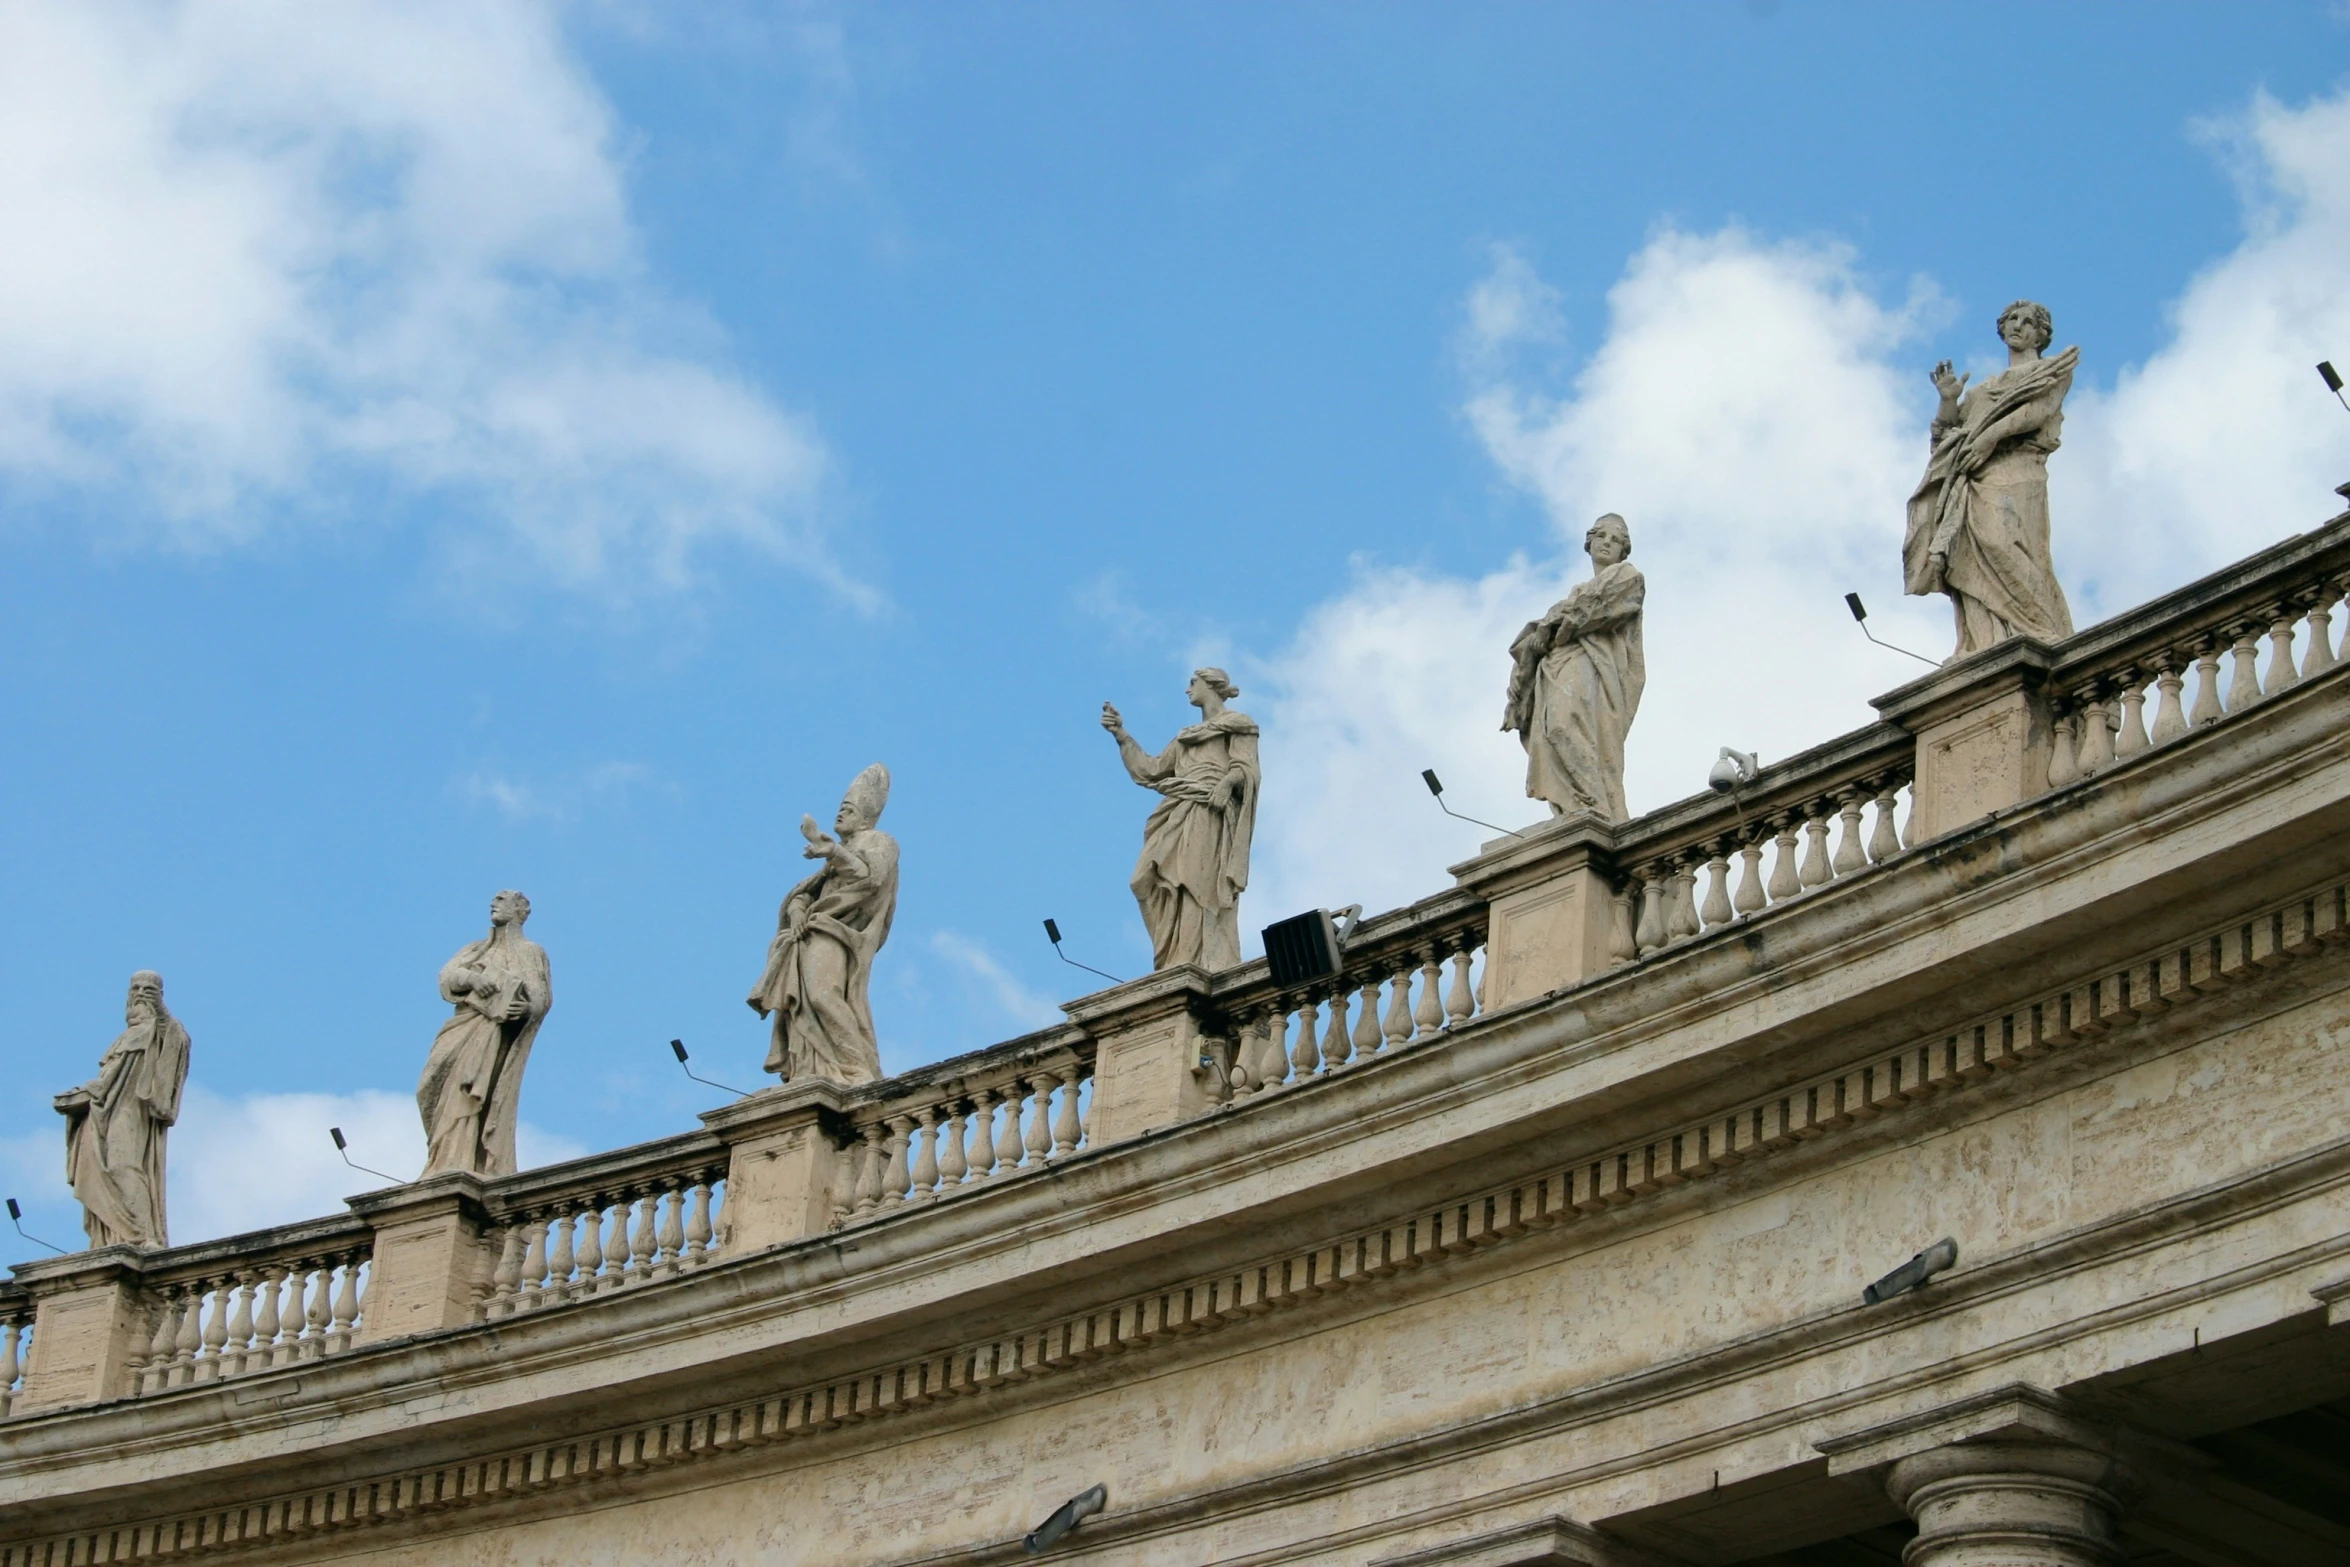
x=466, y=448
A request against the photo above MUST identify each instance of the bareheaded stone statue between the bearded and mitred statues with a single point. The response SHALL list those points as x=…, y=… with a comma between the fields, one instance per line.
x=471, y=1091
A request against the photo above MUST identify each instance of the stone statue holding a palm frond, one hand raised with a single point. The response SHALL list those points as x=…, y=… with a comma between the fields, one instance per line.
x=1980, y=520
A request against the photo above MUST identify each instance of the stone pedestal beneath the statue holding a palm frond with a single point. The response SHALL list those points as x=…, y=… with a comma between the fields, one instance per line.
x=1982, y=737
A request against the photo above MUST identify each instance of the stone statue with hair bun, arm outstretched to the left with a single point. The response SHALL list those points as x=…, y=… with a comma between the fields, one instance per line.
x=1195, y=849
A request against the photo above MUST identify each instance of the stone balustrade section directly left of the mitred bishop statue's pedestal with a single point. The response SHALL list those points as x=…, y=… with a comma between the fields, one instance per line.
x=605, y=1225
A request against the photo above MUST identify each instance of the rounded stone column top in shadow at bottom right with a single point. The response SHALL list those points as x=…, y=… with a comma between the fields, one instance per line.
x=2013, y=1505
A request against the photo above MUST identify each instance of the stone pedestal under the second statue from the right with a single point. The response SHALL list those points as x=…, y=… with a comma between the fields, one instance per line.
x=1552, y=908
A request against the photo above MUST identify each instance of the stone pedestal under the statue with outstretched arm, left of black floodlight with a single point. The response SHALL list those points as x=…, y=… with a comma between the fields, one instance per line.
x=1148, y=1065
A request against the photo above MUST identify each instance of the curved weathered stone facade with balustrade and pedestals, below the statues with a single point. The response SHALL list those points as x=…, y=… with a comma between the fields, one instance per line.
x=1562, y=1272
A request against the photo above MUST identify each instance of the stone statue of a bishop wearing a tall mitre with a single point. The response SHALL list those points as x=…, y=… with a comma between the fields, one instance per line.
x=821, y=964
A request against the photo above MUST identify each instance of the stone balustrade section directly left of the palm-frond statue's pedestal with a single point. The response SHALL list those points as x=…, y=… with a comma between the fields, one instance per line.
x=1822, y=816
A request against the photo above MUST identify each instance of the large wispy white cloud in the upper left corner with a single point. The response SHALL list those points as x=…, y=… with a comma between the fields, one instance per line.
x=260, y=255
